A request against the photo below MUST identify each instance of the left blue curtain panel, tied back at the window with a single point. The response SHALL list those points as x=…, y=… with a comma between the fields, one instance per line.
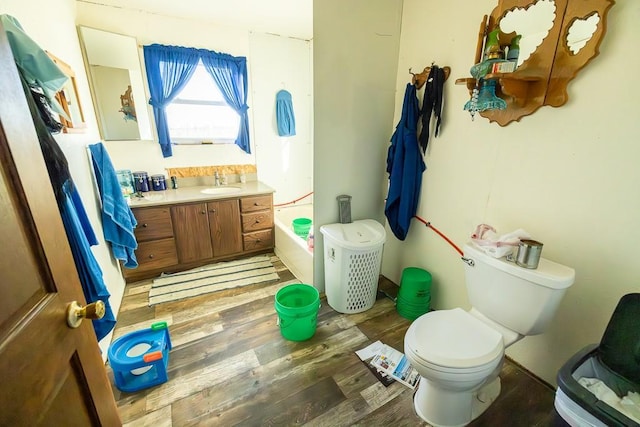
x=169, y=68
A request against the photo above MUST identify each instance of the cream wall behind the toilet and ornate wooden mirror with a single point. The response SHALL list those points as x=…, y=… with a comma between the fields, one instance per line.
x=567, y=175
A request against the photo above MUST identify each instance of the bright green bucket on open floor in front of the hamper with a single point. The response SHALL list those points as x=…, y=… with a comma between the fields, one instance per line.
x=297, y=306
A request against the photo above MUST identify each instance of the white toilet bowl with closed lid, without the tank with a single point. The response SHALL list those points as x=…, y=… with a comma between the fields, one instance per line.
x=455, y=355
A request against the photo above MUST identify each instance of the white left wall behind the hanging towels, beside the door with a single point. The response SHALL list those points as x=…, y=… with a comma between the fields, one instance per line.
x=53, y=28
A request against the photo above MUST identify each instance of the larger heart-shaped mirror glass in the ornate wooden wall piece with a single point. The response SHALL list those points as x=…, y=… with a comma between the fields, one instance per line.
x=533, y=23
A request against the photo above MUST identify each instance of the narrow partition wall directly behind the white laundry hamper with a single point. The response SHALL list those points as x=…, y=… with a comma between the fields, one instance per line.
x=355, y=47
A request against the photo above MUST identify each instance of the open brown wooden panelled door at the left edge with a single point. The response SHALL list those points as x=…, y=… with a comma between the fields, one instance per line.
x=51, y=374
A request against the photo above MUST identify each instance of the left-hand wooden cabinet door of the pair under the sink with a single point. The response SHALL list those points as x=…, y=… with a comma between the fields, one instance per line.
x=191, y=231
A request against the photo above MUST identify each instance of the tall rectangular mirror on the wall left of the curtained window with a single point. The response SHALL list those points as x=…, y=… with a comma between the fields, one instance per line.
x=116, y=82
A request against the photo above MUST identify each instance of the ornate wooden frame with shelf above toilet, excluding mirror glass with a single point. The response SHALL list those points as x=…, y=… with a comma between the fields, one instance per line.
x=543, y=78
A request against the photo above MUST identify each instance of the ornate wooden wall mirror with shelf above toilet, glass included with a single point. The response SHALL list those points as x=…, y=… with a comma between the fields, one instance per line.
x=557, y=39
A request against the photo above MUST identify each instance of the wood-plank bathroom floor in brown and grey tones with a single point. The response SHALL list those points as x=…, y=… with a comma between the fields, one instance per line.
x=231, y=366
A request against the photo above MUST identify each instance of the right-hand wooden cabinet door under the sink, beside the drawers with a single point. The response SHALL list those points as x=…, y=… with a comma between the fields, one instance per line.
x=224, y=222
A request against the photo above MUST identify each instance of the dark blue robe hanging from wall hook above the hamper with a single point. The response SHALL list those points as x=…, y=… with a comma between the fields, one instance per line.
x=405, y=167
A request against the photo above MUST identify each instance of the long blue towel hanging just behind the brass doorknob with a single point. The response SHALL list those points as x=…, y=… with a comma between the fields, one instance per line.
x=81, y=237
